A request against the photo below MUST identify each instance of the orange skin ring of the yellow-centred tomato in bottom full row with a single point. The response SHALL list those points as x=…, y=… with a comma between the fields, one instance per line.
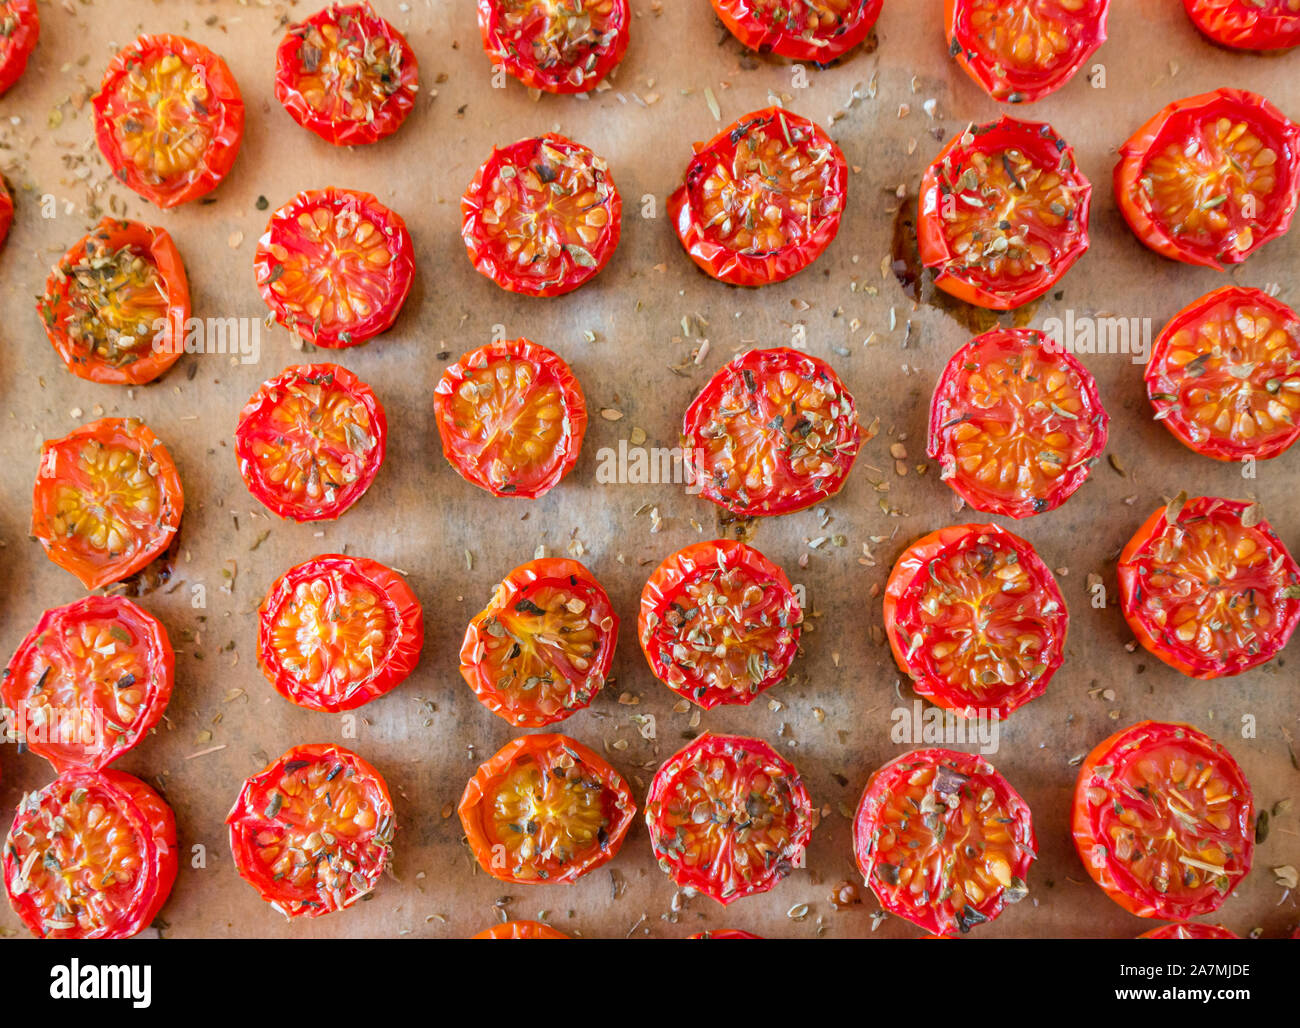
x=549, y=753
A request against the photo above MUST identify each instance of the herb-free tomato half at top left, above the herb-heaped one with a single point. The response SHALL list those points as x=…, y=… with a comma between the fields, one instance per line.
x=170, y=119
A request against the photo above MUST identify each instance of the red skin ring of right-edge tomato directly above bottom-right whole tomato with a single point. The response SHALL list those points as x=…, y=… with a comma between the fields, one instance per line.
x=1136, y=570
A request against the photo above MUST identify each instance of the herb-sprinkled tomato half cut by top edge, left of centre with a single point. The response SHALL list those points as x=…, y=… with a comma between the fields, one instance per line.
x=557, y=46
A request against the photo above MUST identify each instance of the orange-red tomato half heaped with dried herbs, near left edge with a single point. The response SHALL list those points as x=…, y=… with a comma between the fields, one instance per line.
x=118, y=305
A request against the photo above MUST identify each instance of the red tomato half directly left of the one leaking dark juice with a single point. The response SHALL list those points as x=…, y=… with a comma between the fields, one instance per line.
x=762, y=199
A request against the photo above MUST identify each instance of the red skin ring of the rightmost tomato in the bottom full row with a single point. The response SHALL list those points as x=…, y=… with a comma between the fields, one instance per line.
x=1107, y=764
